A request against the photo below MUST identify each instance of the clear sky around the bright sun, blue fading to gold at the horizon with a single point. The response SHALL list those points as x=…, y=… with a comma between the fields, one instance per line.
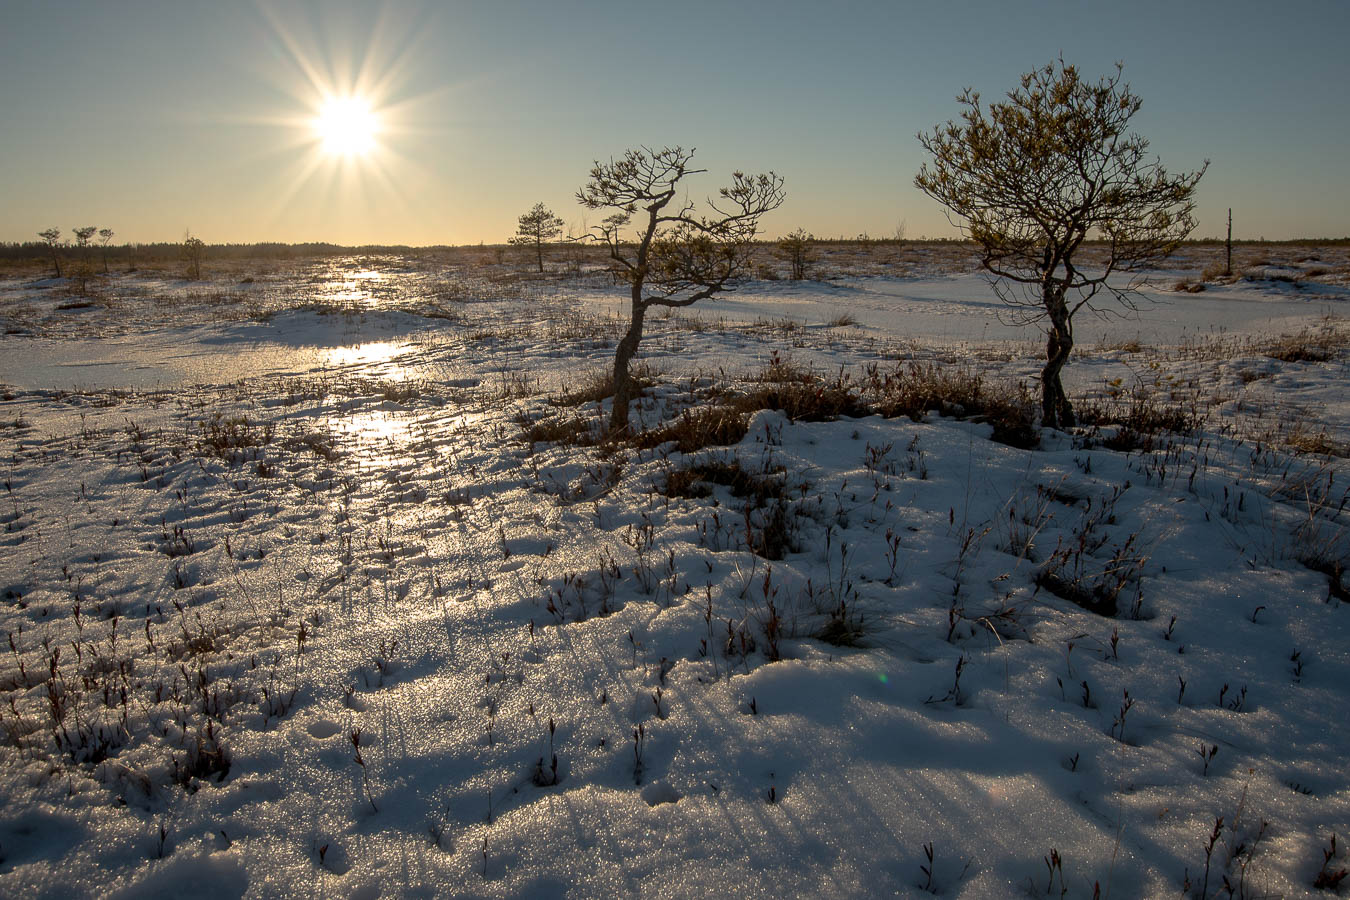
x=155, y=117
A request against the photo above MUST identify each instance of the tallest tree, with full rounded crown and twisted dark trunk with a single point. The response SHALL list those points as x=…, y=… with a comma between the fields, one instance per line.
x=1036, y=177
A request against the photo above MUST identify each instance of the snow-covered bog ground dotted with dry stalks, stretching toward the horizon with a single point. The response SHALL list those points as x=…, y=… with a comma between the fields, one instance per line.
x=295, y=609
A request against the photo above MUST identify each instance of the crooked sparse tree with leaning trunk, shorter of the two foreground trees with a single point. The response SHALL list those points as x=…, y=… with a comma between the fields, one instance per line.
x=678, y=254
